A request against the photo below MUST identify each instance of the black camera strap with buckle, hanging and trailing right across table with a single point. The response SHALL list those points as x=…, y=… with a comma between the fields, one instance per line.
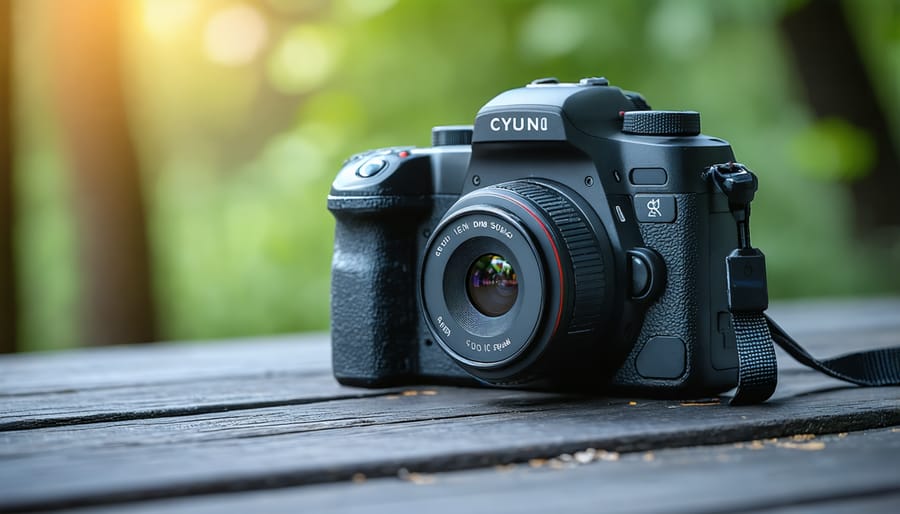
x=755, y=332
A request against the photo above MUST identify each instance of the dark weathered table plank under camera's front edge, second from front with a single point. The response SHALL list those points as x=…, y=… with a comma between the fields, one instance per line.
x=295, y=445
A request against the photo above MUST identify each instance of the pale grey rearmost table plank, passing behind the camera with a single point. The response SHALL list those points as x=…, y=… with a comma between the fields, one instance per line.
x=135, y=382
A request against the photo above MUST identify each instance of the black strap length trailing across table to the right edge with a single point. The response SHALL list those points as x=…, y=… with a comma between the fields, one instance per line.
x=870, y=368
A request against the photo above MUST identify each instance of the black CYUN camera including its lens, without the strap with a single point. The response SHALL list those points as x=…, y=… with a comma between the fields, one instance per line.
x=568, y=241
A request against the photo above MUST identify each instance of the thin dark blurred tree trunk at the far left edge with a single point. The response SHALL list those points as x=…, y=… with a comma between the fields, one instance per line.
x=8, y=310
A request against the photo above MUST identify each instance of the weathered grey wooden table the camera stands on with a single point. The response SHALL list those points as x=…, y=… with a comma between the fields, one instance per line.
x=260, y=425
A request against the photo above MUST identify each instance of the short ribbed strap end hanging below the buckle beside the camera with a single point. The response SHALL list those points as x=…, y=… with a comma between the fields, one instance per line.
x=757, y=367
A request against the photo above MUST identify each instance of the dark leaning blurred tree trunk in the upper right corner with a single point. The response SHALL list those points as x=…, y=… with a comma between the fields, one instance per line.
x=837, y=84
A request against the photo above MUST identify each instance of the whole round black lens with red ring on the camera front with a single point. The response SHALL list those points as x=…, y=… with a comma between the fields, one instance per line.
x=513, y=274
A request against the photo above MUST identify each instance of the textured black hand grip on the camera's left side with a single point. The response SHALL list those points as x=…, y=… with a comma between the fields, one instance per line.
x=374, y=319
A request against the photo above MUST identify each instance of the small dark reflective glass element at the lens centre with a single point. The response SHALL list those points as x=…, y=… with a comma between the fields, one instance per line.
x=492, y=285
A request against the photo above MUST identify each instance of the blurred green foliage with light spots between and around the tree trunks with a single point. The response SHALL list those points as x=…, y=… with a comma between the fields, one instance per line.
x=242, y=112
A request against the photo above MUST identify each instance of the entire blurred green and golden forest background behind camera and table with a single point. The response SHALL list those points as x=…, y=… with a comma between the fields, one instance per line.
x=198, y=138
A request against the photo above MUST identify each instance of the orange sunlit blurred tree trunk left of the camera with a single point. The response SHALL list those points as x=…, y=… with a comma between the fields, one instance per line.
x=116, y=299
